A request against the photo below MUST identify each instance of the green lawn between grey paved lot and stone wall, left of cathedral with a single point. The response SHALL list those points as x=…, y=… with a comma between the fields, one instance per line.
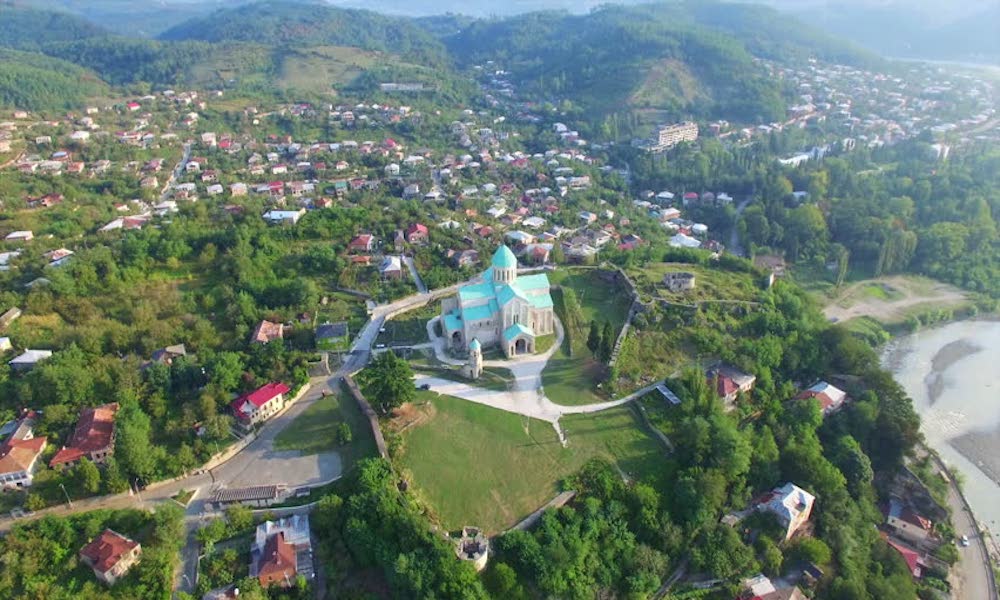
x=315, y=430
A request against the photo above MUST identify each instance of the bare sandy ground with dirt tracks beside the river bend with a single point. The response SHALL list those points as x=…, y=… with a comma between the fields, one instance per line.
x=899, y=294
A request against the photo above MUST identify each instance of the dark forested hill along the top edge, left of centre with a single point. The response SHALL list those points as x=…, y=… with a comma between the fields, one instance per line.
x=306, y=24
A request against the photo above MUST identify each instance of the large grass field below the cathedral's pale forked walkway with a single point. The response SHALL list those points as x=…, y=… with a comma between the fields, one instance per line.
x=476, y=465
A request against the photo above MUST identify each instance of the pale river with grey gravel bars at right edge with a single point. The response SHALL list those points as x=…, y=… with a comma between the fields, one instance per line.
x=953, y=375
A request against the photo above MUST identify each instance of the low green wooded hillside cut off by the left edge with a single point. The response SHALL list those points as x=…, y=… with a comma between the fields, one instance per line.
x=36, y=82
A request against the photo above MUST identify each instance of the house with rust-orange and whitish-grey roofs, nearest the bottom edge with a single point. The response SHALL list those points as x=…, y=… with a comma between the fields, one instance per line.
x=281, y=551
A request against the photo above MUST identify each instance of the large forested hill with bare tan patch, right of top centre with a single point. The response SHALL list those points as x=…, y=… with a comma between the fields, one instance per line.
x=626, y=58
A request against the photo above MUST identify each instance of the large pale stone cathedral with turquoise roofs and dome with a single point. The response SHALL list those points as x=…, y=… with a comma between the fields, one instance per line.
x=501, y=309
